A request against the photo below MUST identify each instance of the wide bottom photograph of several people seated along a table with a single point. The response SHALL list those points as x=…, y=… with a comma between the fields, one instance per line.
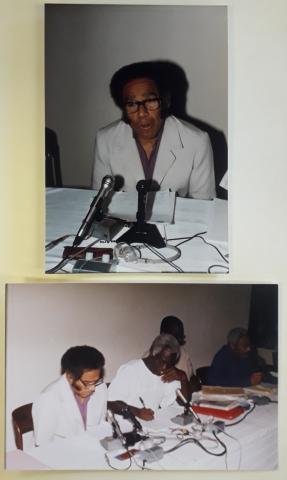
x=141, y=377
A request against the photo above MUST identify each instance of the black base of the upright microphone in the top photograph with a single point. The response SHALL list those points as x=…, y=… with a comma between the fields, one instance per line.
x=143, y=233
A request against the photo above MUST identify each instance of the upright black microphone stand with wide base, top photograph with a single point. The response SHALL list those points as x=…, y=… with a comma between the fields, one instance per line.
x=142, y=232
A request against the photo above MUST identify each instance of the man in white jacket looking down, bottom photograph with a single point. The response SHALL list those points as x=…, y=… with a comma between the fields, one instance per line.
x=76, y=402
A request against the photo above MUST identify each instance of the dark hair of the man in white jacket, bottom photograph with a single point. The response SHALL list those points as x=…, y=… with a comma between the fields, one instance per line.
x=77, y=359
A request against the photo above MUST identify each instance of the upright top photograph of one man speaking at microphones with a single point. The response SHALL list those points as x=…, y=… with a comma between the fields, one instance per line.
x=136, y=139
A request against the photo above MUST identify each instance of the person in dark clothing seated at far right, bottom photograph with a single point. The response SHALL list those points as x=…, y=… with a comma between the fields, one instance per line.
x=236, y=364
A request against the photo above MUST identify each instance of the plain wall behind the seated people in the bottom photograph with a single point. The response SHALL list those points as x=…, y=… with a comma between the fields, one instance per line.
x=43, y=321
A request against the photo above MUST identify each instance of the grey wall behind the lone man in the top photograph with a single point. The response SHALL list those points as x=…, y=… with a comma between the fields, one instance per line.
x=86, y=44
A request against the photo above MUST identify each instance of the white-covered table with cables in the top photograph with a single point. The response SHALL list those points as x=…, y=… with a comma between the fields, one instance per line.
x=66, y=208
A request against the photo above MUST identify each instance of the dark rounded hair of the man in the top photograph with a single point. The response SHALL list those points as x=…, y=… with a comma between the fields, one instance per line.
x=148, y=69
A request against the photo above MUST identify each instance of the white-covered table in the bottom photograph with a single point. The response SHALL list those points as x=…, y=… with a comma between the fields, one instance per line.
x=253, y=446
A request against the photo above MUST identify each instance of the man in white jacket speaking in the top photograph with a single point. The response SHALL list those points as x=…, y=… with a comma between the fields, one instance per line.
x=149, y=143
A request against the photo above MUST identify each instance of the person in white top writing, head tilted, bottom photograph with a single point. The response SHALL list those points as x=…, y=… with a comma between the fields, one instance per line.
x=144, y=385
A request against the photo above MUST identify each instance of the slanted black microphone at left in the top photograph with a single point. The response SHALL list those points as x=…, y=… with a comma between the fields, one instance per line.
x=95, y=208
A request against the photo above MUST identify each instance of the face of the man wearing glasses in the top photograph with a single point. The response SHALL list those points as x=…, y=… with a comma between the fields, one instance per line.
x=145, y=123
